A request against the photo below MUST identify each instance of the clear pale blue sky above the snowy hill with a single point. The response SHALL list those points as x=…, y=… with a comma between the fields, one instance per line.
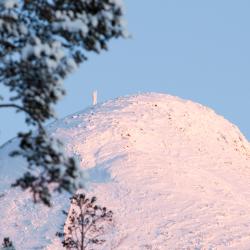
x=198, y=50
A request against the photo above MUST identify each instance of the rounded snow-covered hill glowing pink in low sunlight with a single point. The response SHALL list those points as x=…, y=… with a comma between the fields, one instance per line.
x=175, y=174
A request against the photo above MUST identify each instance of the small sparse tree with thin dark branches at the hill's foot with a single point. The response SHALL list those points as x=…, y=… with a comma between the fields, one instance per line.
x=85, y=225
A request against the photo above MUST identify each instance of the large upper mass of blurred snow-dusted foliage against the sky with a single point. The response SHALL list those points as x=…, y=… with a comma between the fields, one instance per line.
x=41, y=42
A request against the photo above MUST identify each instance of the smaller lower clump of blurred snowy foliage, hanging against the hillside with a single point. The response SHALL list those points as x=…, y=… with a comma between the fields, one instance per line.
x=55, y=171
